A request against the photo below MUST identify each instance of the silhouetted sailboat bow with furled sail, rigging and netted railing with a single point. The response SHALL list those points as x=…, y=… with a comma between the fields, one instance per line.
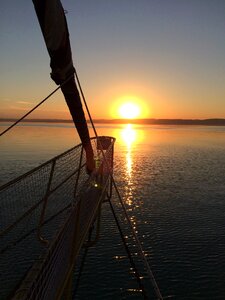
x=50, y=210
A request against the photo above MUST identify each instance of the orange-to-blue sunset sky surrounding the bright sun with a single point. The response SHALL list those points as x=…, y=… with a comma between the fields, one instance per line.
x=167, y=56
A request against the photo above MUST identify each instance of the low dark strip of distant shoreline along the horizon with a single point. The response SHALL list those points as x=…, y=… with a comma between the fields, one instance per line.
x=209, y=122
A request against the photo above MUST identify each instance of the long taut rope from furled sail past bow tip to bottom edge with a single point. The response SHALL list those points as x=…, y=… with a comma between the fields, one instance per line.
x=149, y=271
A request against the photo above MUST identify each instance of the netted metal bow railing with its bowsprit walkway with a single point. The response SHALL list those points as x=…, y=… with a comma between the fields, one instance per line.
x=45, y=216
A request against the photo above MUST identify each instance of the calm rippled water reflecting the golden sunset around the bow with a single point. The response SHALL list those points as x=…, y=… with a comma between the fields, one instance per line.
x=172, y=180
